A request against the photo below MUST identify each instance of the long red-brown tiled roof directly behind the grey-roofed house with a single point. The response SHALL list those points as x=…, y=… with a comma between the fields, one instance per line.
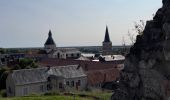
x=86, y=65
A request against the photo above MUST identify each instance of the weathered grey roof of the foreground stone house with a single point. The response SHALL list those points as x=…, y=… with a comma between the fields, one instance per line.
x=27, y=76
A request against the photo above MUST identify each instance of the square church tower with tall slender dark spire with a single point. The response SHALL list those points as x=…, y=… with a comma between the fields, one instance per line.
x=107, y=44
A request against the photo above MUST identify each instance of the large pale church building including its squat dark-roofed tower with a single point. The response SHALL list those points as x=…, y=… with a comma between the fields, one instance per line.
x=50, y=50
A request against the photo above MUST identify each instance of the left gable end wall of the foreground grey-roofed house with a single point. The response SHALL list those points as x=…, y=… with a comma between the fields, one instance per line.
x=10, y=87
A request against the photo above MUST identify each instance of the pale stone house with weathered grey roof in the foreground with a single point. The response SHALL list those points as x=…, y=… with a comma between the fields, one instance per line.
x=40, y=80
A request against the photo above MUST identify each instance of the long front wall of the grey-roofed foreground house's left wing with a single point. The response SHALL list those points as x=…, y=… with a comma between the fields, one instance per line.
x=37, y=88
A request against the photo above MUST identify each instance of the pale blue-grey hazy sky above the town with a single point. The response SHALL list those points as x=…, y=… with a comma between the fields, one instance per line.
x=26, y=23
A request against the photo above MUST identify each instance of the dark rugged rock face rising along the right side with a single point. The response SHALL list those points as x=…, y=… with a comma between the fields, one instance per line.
x=147, y=66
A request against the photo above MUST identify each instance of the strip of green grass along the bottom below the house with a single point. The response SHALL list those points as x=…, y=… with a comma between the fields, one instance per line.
x=92, y=95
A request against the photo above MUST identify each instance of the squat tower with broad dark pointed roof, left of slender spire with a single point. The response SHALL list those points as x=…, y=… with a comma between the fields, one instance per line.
x=50, y=44
